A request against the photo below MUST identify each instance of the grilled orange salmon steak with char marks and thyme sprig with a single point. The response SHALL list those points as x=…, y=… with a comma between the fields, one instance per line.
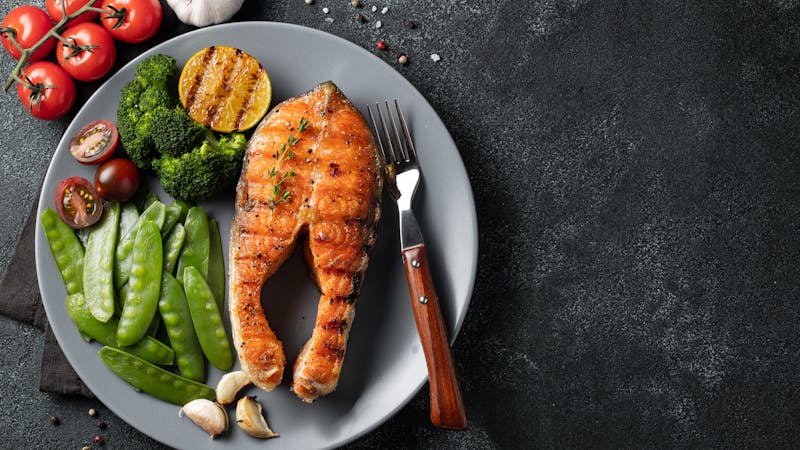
x=327, y=185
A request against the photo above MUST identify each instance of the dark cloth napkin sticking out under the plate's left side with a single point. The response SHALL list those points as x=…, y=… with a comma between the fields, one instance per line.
x=20, y=300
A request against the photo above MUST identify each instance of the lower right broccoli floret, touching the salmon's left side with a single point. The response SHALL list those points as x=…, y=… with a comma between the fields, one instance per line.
x=204, y=171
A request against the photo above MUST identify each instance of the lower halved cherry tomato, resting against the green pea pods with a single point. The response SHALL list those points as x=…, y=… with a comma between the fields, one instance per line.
x=78, y=203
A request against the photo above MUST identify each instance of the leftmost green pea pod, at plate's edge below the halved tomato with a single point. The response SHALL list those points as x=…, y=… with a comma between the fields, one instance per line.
x=66, y=248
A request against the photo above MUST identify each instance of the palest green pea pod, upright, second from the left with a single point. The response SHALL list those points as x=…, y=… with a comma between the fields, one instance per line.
x=98, y=270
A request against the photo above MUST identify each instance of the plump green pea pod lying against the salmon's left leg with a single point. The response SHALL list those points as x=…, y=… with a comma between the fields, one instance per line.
x=207, y=320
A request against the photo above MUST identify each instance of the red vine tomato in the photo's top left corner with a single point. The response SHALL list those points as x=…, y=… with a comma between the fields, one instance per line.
x=29, y=24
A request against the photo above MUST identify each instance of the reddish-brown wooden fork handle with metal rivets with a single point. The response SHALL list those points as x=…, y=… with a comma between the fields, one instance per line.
x=447, y=406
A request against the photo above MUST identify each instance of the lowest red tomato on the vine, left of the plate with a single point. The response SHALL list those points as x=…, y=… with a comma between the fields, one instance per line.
x=48, y=92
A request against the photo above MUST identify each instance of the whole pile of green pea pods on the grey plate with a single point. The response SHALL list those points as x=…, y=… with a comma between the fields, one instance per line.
x=121, y=285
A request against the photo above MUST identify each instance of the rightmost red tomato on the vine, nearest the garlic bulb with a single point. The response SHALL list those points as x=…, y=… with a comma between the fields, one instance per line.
x=134, y=21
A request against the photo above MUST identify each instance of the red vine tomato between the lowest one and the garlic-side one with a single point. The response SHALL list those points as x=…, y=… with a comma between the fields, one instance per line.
x=88, y=53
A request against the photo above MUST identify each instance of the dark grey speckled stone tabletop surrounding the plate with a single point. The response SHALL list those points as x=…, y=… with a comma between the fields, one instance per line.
x=635, y=169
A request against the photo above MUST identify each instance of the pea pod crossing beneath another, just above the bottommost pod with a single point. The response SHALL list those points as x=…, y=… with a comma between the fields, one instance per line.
x=106, y=333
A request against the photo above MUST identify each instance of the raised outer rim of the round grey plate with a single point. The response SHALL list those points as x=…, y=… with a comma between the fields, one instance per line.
x=39, y=240
